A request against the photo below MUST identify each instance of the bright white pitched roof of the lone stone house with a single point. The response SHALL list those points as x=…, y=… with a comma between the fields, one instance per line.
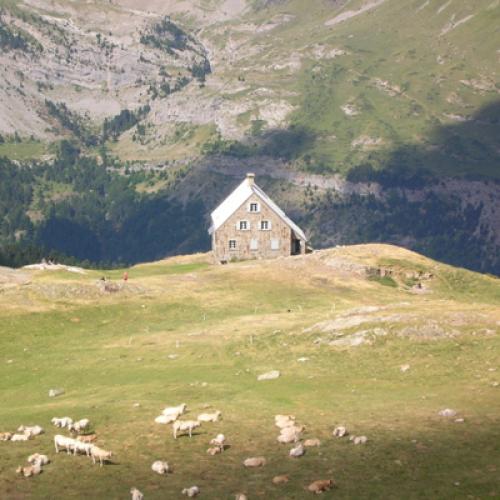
x=239, y=196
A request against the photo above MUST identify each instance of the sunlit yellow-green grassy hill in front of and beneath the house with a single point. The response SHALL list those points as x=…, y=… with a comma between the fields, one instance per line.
x=183, y=330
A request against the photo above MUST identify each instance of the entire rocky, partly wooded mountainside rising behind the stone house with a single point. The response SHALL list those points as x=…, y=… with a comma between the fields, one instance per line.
x=366, y=121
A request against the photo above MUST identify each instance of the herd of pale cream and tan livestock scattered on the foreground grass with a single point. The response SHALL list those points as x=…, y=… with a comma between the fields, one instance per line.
x=82, y=443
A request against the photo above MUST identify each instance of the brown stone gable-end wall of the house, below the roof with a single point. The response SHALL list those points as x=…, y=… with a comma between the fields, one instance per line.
x=267, y=244
